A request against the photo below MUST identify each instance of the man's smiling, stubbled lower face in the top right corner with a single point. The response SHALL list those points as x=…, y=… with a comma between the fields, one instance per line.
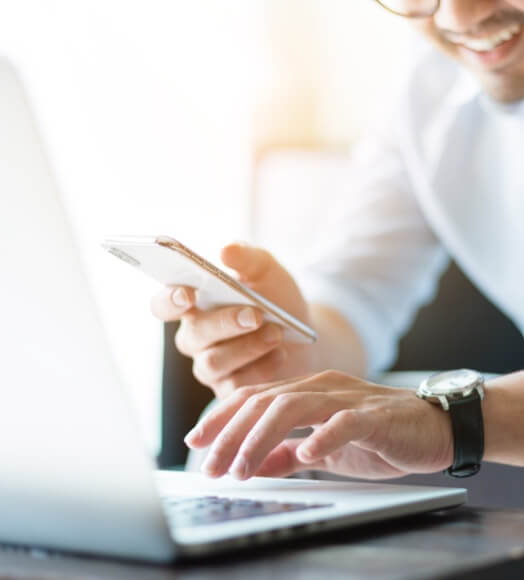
x=487, y=36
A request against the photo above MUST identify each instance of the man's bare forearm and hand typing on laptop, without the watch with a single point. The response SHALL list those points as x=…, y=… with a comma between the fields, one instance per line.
x=359, y=429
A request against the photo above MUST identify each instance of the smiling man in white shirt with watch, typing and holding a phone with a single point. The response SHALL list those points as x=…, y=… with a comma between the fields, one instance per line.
x=443, y=177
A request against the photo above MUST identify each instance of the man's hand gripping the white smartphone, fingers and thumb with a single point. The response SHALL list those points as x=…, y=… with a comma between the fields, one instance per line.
x=233, y=346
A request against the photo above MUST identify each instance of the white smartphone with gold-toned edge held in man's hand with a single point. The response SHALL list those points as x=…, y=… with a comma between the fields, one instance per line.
x=173, y=264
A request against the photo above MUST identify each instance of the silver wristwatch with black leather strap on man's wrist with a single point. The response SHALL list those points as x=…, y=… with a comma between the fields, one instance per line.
x=460, y=393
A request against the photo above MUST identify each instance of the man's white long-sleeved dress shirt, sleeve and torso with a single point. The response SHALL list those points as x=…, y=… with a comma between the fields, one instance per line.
x=443, y=176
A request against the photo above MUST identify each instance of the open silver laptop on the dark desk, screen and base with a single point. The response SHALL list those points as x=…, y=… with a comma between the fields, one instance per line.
x=75, y=473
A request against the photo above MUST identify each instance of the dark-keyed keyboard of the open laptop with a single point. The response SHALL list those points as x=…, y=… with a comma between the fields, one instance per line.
x=203, y=511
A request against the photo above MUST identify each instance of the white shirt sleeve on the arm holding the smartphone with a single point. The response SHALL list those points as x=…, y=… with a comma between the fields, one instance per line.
x=379, y=261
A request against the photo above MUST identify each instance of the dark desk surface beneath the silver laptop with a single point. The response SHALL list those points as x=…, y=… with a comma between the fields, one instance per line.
x=463, y=543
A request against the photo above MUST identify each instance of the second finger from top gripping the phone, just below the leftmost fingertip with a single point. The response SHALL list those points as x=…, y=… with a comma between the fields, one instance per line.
x=200, y=330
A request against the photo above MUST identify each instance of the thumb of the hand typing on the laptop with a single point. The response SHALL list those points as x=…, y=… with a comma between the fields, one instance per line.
x=345, y=426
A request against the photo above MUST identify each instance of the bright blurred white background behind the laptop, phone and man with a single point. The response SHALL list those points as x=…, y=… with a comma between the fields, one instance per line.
x=175, y=117
